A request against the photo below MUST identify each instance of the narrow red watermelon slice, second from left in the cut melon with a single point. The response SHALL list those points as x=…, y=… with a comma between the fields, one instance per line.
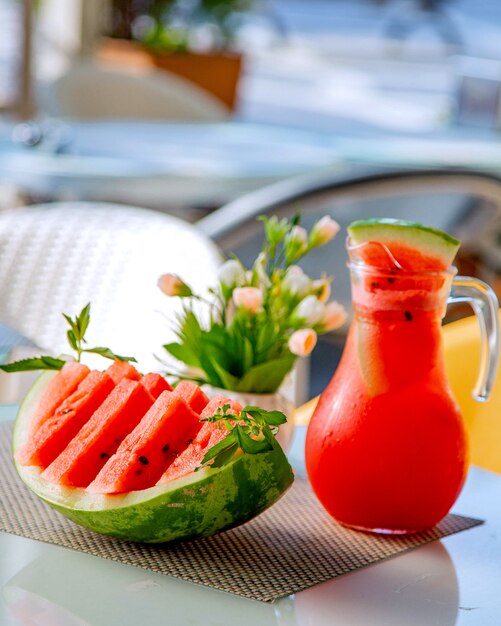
x=58, y=430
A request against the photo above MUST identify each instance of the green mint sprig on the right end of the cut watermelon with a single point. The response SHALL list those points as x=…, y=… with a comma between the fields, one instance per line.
x=252, y=431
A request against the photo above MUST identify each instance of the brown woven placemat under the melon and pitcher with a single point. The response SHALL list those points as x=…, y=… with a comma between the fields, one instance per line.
x=292, y=546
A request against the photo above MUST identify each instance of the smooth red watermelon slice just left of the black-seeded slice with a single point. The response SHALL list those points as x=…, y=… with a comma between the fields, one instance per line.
x=86, y=454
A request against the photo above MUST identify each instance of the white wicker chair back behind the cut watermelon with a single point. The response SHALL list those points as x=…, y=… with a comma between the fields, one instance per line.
x=55, y=258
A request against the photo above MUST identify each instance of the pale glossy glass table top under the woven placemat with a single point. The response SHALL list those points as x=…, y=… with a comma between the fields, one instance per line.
x=453, y=581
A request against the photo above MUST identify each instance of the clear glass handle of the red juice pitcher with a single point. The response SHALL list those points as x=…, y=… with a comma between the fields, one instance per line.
x=485, y=306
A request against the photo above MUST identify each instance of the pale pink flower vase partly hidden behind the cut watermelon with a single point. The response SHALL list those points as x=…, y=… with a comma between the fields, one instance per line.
x=267, y=401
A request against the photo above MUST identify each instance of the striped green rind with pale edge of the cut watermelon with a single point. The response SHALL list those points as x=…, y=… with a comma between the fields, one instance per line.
x=197, y=505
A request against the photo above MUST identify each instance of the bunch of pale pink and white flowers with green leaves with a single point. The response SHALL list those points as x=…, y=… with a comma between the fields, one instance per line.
x=261, y=319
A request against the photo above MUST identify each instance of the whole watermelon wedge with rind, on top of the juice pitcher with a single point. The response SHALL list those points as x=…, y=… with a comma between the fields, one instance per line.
x=401, y=245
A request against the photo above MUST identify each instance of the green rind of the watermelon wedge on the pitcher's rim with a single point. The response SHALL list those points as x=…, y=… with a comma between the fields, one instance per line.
x=429, y=240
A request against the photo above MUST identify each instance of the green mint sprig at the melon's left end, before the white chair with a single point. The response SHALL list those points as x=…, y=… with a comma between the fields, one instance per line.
x=76, y=338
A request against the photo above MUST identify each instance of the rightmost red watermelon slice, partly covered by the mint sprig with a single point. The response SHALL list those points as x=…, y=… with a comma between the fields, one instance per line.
x=210, y=434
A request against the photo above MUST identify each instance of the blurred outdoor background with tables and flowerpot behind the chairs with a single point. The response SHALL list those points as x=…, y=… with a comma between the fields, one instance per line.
x=184, y=106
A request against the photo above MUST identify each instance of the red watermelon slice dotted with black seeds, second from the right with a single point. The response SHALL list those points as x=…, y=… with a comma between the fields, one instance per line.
x=166, y=429
